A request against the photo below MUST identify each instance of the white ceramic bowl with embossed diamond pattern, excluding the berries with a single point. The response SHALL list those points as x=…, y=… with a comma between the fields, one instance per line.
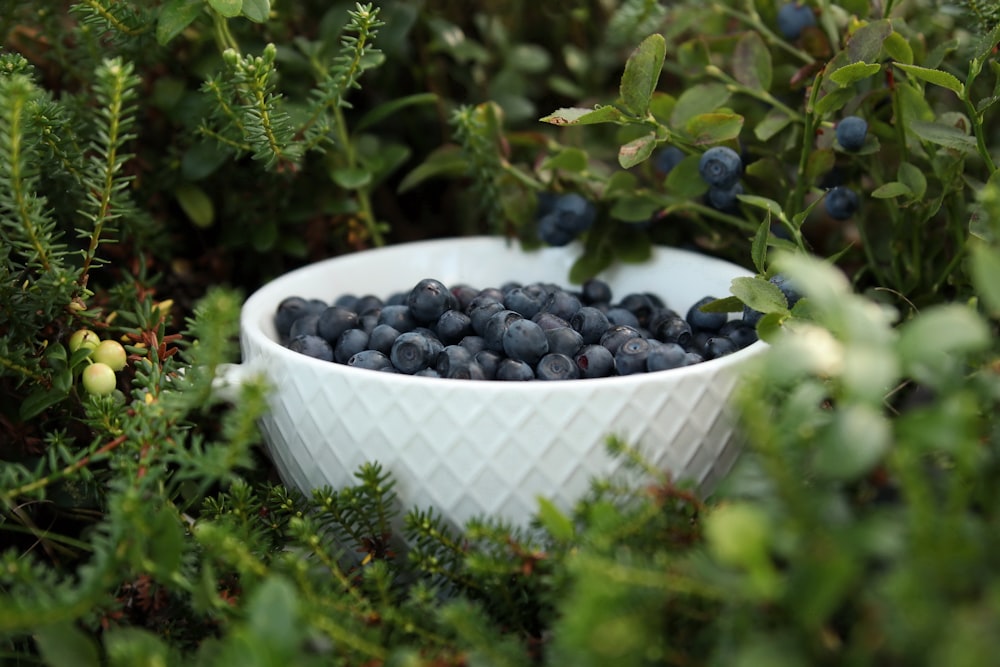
x=469, y=448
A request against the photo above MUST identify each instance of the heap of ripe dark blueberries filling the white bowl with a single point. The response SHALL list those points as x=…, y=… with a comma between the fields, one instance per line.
x=534, y=331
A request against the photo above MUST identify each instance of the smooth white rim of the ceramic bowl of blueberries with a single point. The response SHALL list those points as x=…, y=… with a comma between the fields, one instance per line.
x=253, y=308
